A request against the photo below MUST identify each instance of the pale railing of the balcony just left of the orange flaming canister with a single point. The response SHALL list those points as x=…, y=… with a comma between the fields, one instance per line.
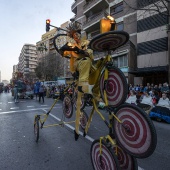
x=93, y=19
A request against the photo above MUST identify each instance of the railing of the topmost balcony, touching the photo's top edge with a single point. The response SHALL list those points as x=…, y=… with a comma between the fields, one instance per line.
x=95, y=4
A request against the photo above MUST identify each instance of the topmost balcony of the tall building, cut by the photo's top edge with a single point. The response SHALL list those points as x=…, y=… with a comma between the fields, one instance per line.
x=94, y=6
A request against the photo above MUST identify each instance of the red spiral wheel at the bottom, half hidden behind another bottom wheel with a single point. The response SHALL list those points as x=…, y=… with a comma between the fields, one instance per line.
x=126, y=161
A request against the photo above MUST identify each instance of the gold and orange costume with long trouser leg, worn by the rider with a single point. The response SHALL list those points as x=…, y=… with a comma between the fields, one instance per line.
x=81, y=63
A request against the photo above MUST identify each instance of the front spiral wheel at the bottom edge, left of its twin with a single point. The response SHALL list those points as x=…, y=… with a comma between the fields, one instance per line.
x=107, y=160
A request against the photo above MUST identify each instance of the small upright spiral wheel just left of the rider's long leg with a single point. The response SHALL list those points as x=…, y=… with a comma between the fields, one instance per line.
x=67, y=106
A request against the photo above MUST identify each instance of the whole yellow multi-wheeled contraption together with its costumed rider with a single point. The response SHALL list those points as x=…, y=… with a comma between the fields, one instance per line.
x=131, y=132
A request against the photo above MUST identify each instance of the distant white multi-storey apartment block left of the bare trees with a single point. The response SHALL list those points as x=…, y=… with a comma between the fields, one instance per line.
x=28, y=61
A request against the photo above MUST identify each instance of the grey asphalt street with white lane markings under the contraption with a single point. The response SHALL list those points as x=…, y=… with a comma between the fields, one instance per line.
x=57, y=149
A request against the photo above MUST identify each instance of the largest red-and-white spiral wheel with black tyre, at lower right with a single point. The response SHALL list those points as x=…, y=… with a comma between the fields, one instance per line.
x=136, y=134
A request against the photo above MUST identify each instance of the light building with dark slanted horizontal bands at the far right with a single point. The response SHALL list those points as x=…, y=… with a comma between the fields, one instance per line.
x=152, y=42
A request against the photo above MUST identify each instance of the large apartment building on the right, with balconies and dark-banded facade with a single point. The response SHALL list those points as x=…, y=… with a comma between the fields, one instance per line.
x=139, y=59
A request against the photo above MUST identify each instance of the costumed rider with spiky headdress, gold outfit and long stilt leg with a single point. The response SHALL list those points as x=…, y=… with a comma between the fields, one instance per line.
x=81, y=62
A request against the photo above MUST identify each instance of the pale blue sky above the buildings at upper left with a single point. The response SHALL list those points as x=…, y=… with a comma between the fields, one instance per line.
x=23, y=21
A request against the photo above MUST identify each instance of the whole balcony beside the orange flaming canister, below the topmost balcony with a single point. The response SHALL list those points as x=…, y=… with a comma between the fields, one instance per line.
x=93, y=22
